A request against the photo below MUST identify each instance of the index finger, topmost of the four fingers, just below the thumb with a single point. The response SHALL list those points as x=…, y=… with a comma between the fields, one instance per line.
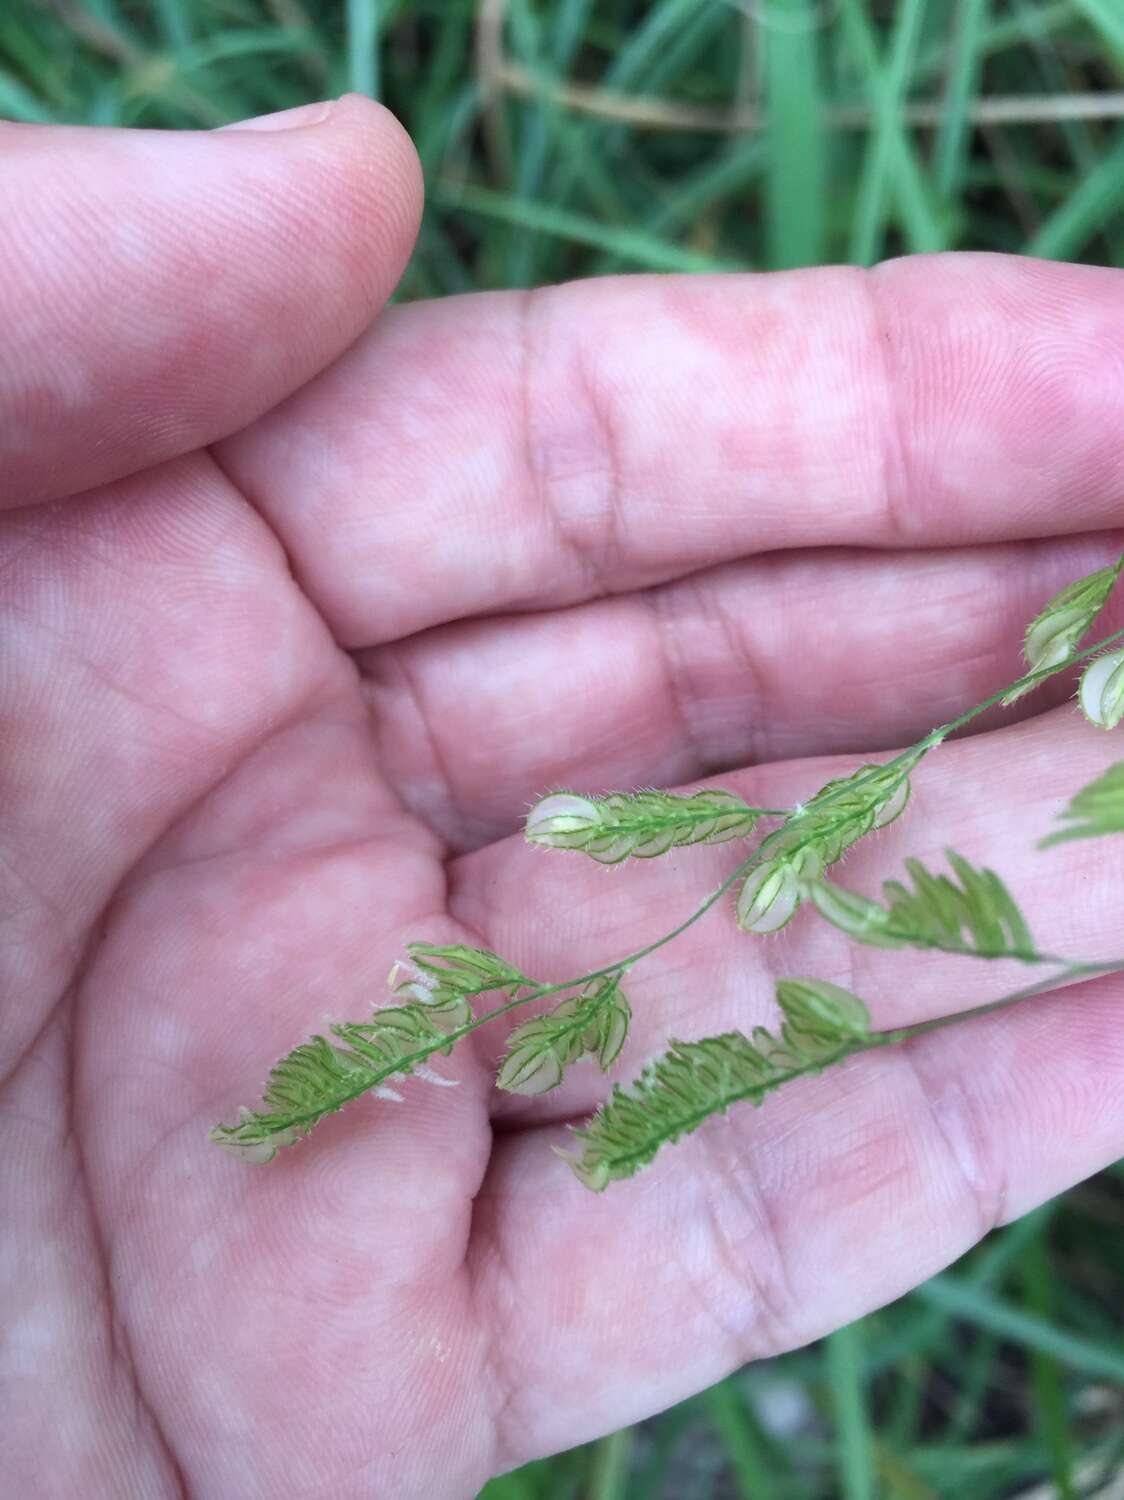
x=511, y=452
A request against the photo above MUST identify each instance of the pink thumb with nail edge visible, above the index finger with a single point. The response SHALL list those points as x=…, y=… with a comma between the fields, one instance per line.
x=160, y=290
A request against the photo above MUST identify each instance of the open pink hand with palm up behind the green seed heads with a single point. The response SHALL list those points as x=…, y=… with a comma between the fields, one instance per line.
x=271, y=709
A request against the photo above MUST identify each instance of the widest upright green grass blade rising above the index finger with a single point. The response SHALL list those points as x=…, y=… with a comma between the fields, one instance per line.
x=795, y=161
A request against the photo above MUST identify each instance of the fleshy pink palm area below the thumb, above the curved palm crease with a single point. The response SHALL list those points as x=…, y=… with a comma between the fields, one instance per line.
x=154, y=640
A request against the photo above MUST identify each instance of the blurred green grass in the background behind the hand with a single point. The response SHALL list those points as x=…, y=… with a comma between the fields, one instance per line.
x=577, y=137
